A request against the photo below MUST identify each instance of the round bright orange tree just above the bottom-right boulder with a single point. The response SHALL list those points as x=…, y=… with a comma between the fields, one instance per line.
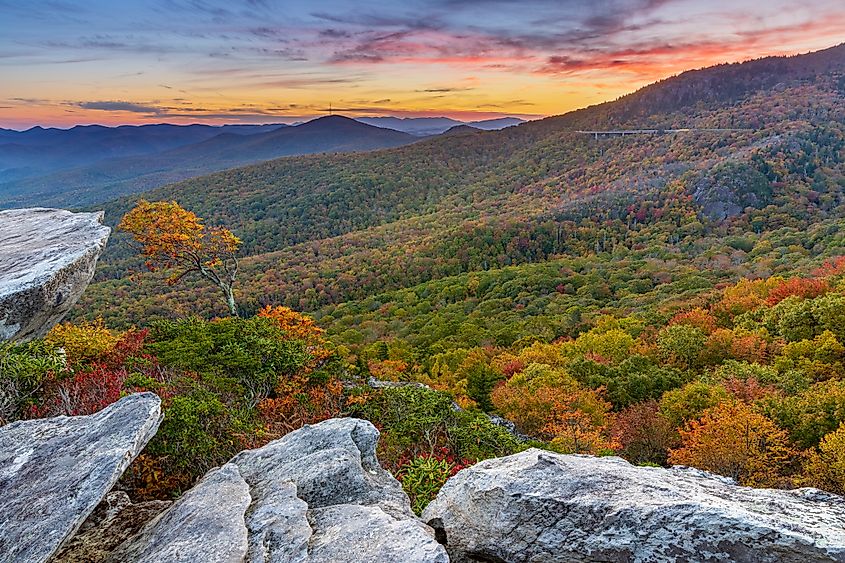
x=732, y=440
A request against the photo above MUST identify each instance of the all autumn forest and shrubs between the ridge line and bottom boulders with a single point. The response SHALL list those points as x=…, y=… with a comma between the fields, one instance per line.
x=673, y=298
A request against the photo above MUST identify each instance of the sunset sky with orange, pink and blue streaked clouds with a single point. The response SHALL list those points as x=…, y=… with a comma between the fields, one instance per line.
x=68, y=62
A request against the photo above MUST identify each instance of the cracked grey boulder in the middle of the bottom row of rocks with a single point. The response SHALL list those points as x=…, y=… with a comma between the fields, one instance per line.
x=317, y=495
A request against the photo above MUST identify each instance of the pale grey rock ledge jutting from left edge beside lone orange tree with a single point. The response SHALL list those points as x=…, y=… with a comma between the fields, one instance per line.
x=47, y=259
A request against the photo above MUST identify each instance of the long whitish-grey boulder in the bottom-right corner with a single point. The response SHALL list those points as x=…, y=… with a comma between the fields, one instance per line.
x=538, y=506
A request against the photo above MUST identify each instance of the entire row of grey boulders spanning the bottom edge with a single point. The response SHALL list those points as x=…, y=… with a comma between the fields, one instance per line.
x=319, y=495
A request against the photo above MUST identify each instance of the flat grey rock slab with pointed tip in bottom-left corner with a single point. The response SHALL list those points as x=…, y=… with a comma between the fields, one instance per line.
x=55, y=471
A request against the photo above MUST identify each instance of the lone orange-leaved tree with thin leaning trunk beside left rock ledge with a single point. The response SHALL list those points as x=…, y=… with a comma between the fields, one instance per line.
x=172, y=237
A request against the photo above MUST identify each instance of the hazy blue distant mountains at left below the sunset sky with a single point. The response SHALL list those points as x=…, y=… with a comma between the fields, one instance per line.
x=86, y=165
